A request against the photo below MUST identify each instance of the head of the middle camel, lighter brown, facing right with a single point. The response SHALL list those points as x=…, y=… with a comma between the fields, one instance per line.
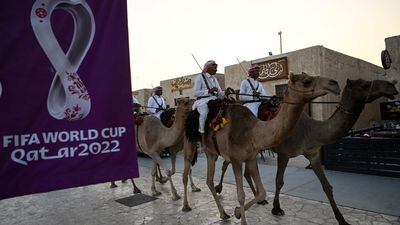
x=306, y=87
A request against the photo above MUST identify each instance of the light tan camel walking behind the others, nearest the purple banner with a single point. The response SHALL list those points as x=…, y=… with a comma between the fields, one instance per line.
x=153, y=137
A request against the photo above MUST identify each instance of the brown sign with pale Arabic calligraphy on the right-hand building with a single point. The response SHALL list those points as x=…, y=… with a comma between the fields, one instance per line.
x=273, y=69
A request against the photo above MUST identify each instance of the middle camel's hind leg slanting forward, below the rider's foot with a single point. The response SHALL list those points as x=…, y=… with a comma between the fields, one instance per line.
x=210, y=183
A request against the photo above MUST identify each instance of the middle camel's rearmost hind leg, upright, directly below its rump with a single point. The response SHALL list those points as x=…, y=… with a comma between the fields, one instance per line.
x=188, y=152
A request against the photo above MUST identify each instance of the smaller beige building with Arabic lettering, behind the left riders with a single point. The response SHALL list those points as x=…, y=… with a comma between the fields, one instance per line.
x=182, y=87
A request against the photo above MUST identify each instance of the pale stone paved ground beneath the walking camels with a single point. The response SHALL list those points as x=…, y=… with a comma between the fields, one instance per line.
x=96, y=204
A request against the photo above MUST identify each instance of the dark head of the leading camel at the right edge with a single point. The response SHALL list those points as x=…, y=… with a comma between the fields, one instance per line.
x=368, y=91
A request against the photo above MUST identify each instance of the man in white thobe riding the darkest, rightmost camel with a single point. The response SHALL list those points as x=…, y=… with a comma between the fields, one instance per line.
x=253, y=90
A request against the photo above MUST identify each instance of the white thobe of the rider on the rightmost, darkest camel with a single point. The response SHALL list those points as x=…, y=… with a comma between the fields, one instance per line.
x=245, y=88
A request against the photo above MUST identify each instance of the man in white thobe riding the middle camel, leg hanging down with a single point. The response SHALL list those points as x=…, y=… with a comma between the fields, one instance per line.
x=206, y=88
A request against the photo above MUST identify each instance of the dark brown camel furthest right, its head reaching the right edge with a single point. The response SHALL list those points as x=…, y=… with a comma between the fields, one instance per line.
x=310, y=135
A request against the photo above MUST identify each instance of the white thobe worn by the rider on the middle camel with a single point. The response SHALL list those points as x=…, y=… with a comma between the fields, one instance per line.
x=201, y=90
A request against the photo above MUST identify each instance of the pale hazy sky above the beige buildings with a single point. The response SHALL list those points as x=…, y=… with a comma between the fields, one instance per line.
x=164, y=33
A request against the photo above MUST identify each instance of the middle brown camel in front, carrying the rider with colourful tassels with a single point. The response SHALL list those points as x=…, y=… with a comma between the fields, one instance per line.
x=241, y=139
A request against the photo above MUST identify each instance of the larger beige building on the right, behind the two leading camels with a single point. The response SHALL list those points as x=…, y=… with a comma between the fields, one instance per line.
x=316, y=60
